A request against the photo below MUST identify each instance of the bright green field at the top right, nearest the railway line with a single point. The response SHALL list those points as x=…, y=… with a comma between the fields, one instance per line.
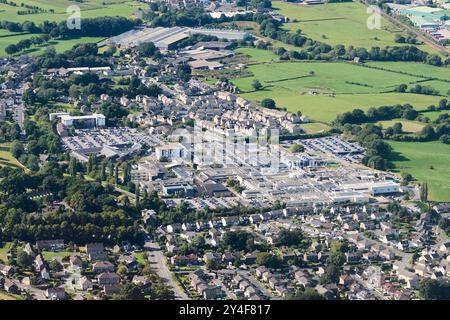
x=339, y=23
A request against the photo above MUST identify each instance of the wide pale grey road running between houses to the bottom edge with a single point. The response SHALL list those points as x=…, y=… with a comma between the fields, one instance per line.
x=158, y=262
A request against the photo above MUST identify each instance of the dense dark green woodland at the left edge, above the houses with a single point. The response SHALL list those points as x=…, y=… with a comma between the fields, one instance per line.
x=96, y=214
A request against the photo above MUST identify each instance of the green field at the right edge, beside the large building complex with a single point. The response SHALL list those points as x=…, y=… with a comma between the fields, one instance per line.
x=416, y=159
